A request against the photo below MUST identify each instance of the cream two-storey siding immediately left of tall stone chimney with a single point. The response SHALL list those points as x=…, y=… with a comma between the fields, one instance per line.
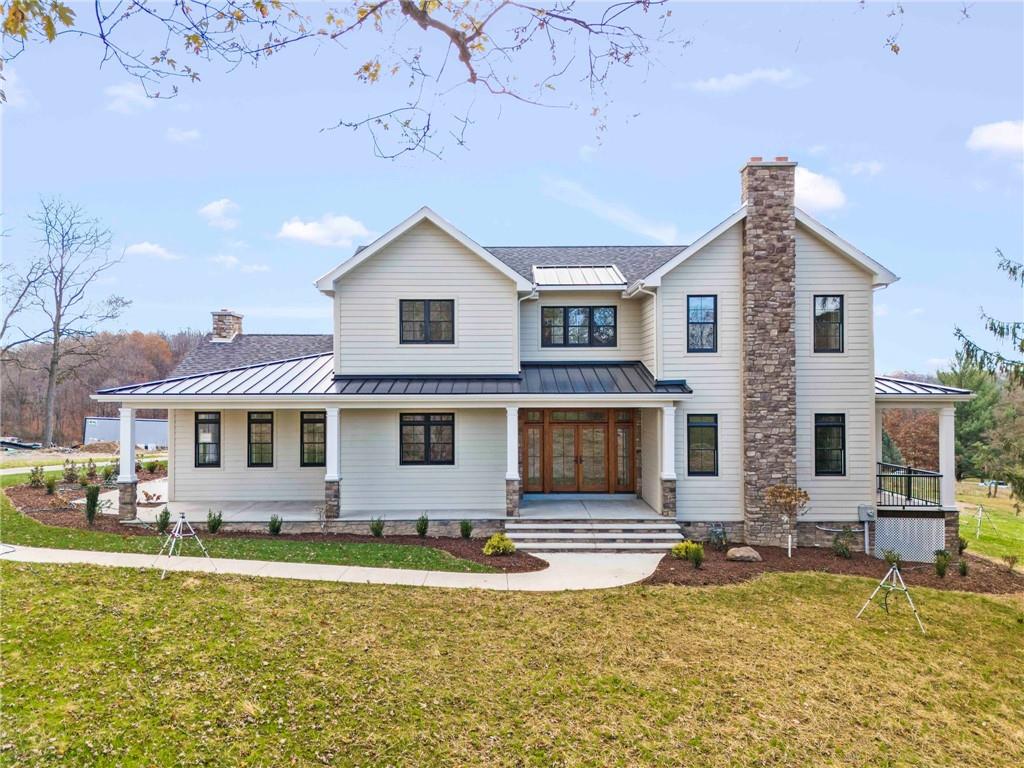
x=715, y=377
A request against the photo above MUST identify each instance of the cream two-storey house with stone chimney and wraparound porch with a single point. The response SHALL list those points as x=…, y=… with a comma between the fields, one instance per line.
x=499, y=383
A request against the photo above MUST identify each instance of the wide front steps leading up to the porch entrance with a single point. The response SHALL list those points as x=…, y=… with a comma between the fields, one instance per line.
x=628, y=535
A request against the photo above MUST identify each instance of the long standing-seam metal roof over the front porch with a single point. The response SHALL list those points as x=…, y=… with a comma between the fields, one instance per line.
x=315, y=376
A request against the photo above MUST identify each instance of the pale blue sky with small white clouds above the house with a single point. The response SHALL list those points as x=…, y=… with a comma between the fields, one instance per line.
x=232, y=195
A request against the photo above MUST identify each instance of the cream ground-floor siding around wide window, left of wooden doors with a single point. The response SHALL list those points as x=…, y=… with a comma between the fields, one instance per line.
x=373, y=481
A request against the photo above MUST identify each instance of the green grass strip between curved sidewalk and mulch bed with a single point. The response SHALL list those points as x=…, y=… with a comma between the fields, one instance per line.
x=18, y=529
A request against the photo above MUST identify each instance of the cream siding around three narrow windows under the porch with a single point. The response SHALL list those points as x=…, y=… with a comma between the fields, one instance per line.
x=233, y=481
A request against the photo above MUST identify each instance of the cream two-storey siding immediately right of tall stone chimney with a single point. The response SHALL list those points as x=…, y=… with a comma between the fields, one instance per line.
x=835, y=382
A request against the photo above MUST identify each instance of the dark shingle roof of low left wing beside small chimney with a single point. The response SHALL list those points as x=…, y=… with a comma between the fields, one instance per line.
x=248, y=350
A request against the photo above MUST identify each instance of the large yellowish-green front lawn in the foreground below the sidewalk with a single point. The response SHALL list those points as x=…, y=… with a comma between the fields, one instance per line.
x=114, y=667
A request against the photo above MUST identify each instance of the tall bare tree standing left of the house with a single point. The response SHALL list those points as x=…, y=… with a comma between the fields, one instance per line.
x=76, y=253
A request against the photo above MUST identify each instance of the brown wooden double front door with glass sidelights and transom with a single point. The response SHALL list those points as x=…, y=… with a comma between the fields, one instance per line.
x=578, y=451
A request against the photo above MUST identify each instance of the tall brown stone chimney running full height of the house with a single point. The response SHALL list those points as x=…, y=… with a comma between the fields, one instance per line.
x=770, y=377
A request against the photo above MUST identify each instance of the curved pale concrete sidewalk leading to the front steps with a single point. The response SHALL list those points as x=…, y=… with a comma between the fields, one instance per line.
x=566, y=572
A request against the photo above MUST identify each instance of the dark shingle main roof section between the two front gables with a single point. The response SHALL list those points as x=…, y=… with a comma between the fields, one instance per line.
x=635, y=263
